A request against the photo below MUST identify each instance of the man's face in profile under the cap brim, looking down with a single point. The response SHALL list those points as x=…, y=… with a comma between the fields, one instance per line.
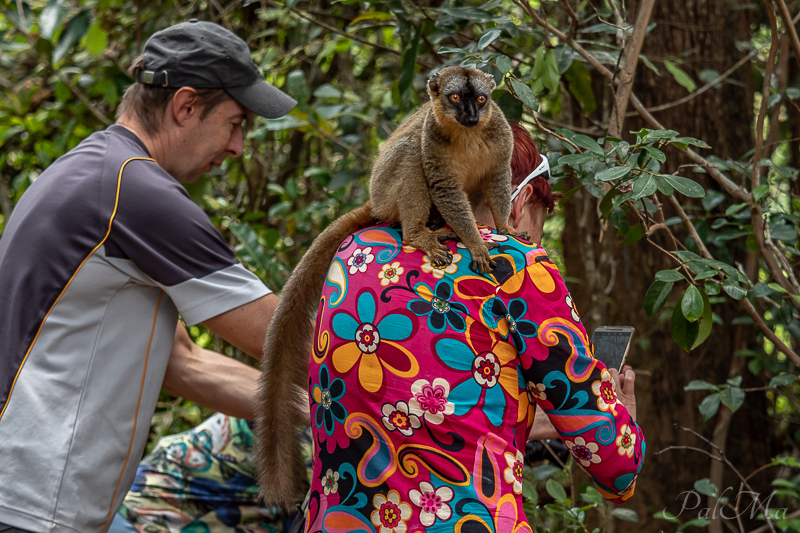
x=207, y=142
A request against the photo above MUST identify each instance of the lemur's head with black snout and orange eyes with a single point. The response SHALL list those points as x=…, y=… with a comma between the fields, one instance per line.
x=462, y=94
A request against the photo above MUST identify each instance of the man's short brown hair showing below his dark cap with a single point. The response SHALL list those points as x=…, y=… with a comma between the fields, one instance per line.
x=147, y=103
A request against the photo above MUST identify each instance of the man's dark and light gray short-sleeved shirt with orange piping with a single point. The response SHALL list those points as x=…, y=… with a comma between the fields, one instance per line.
x=100, y=256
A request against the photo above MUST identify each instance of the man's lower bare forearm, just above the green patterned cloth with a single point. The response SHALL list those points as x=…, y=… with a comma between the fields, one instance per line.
x=210, y=379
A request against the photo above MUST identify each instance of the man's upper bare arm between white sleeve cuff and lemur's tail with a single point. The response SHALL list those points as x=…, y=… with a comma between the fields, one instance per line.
x=246, y=327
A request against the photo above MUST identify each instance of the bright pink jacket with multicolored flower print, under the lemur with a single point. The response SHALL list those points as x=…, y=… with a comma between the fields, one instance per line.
x=424, y=381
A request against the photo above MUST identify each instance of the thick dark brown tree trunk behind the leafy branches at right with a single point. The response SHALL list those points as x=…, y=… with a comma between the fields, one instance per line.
x=615, y=278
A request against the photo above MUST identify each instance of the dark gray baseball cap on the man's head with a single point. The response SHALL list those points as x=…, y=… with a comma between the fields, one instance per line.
x=204, y=55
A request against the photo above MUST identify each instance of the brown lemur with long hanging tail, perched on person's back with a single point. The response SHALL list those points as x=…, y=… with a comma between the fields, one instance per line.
x=453, y=153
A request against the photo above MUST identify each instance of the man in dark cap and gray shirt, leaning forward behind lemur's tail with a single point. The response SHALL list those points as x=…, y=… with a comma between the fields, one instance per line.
x=99, y=258
